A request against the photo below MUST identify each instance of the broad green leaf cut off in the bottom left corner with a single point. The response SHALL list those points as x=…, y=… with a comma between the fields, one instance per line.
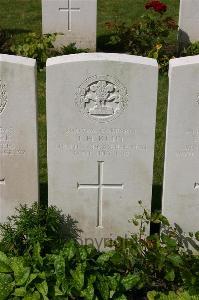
x=6, y=285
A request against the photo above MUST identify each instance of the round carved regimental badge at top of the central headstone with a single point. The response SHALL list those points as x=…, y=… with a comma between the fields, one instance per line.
x=102, y=98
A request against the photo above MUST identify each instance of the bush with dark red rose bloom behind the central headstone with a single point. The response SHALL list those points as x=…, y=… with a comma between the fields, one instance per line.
x=148, y=37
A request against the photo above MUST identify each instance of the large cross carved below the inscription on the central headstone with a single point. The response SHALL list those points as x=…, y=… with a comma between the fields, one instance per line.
x=100, y=186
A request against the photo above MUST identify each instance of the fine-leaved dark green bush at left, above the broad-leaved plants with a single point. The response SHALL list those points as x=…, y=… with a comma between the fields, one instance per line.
x=31, y=225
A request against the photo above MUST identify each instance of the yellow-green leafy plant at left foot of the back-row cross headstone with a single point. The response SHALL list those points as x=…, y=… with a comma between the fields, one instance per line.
x=36, y=46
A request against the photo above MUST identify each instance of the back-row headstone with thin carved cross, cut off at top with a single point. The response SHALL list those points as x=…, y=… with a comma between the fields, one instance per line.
x=75, y=19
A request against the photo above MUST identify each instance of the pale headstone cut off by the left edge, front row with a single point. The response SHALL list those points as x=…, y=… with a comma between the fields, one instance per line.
x=18, y=134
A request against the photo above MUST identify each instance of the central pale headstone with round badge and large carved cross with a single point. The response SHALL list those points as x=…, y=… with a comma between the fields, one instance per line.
x=101, y=111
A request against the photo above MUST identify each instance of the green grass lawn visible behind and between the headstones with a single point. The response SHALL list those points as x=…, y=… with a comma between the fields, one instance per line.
x=21, y=16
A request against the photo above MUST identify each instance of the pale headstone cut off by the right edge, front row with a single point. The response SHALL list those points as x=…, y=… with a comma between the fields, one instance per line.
x=181, y=177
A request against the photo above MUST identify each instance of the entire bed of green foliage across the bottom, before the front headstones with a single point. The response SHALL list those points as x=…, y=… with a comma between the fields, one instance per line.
x=158, y=266
